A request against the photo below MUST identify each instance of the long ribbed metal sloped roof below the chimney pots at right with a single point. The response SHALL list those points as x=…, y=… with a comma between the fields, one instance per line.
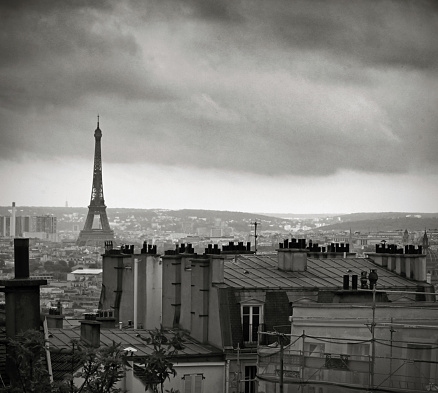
x=261, y=272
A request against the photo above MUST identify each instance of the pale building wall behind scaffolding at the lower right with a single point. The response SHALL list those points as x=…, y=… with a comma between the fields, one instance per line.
x=345, y=329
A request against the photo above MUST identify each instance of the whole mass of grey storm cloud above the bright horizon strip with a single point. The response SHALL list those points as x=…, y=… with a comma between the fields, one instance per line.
x=267, y=87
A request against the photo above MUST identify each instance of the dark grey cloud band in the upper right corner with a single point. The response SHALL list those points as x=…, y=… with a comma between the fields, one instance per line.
x=381, y=32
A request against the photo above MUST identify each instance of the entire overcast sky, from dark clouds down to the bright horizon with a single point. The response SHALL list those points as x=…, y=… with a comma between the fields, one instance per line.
x=279, y=106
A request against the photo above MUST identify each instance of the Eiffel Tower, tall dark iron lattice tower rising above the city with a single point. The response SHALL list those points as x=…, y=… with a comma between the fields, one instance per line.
x=90, y=236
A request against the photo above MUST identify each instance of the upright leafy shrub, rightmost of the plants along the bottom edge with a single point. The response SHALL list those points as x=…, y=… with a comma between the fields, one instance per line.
x=158, y=365
